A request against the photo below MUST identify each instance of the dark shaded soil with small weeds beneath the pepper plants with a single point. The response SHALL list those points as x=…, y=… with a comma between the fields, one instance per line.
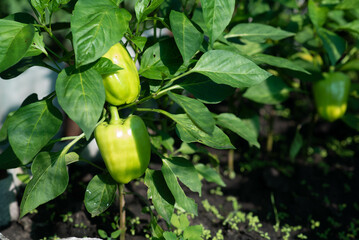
x=314, y=196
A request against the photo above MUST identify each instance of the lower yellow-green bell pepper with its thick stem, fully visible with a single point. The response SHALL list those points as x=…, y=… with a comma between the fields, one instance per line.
x=124, y=146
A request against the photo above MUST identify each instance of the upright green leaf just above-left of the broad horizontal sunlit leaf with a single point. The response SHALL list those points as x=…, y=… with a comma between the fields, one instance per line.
x=186, y=35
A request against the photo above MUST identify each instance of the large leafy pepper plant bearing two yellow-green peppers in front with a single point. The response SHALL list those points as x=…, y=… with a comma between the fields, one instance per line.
x=209, y=53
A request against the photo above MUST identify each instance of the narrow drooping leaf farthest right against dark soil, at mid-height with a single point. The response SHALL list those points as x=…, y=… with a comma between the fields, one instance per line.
x=238, y=126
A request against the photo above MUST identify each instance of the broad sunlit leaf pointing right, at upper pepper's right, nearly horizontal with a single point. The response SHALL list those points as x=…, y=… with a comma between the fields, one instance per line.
x=230, y=68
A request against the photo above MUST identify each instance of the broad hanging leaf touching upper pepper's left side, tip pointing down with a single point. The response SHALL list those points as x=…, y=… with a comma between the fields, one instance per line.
x=82, y=95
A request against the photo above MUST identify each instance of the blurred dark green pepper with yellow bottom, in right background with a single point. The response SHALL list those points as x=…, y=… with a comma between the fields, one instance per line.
x=331, y=95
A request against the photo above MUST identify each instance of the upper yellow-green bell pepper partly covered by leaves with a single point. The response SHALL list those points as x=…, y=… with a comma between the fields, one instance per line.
x=122, y=86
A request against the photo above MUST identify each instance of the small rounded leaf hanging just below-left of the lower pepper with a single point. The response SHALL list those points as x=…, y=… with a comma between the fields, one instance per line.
x=100, y=194
